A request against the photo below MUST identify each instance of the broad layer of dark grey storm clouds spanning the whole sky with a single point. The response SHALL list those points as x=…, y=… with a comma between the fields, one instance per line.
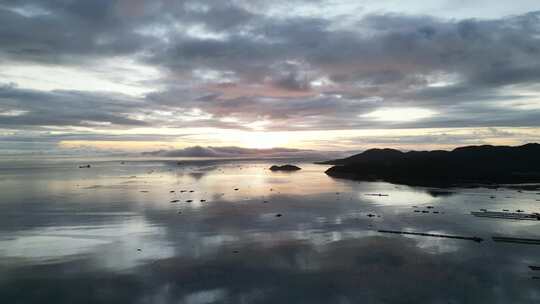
x=308, y=72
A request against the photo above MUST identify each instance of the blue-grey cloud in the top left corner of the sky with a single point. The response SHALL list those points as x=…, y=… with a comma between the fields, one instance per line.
x=66, y=32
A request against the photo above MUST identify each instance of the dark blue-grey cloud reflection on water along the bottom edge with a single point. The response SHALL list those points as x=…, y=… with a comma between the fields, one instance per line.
x=371, y=269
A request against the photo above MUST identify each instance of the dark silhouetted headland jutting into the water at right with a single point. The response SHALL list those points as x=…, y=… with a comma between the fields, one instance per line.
x=461, y=166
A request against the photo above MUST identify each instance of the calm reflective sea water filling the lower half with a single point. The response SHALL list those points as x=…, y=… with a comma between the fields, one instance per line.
x=231, y=231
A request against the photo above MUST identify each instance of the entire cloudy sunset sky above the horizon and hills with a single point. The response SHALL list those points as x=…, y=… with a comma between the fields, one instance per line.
x=82, y=76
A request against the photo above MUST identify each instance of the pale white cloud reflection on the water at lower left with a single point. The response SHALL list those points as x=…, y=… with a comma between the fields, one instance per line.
x=116, y=242
